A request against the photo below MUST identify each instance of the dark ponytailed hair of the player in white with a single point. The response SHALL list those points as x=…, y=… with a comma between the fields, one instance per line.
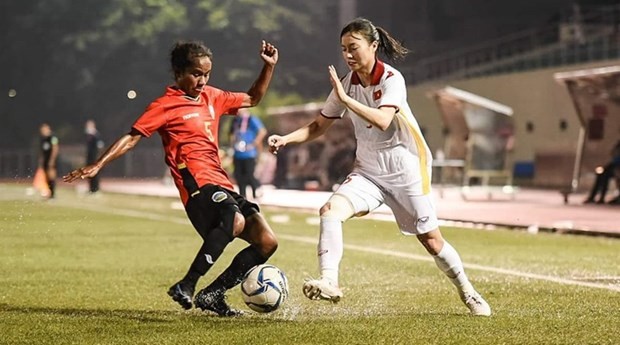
x=389, y=46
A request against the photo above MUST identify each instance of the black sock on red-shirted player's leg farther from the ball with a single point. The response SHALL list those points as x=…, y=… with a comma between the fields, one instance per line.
x=211, y=249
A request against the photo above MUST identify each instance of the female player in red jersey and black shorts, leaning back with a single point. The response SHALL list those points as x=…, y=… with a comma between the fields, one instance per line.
x=187, y=118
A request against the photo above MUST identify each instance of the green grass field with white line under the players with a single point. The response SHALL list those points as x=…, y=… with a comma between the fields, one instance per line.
x=82, y=270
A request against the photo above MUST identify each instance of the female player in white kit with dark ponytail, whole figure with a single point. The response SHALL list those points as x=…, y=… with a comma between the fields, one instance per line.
x=393, y=161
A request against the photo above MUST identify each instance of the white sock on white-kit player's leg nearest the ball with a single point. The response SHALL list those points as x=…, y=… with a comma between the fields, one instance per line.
x=330, y=248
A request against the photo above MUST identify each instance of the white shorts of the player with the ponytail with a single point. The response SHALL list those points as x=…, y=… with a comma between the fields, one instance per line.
x=414, y=214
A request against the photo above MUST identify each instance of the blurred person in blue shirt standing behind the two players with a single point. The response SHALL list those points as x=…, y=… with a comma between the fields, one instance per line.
x=246, y=135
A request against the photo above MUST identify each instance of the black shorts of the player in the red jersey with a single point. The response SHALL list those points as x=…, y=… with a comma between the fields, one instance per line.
x=204, y=209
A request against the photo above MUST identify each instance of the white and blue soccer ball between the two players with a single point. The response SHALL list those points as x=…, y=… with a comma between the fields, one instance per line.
x=264, y=288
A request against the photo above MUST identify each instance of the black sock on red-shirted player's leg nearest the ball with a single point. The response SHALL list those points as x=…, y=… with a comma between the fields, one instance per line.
x=243, y=261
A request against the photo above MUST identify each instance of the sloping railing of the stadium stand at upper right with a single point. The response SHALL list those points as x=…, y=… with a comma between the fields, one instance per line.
x=592, y=37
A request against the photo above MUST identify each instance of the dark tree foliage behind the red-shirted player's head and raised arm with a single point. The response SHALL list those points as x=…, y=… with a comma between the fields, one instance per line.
x=81, y=57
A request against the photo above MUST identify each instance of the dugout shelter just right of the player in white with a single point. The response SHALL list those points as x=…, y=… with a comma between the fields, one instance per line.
x=479, y=133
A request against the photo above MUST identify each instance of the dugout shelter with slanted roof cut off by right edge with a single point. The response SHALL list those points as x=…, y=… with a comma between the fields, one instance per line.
x=595, y=94
